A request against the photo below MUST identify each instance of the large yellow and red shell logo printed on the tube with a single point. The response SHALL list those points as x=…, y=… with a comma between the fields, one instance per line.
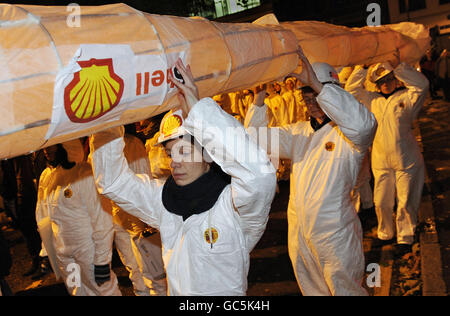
x=94, y=91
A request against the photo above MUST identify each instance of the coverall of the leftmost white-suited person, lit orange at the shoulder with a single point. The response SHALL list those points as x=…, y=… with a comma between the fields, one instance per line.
x=82, y=227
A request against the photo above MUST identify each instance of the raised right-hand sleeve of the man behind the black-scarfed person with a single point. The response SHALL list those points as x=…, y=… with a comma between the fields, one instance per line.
x=355, y=121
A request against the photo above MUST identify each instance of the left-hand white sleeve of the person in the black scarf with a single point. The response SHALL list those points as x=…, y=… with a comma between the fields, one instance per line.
x=137, y=195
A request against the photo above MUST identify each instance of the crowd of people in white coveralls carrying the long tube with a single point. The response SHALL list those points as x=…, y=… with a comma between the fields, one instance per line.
x=185, y=226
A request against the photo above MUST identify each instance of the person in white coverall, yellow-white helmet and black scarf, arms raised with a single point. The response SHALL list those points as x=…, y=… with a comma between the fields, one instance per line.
x=208, y=225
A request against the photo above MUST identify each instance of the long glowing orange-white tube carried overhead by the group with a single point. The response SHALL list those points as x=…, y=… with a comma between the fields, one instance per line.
x=37, y=43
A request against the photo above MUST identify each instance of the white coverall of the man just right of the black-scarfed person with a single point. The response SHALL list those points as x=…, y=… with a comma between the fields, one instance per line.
x=324, y=232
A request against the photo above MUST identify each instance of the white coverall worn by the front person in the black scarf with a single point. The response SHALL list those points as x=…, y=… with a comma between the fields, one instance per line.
x=239, y=216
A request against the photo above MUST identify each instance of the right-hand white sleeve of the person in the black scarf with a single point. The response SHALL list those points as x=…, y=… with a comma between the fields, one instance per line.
x=253, y=178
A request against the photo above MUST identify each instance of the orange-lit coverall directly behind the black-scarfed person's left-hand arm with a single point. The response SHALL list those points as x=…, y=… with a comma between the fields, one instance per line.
x=127, y=227
